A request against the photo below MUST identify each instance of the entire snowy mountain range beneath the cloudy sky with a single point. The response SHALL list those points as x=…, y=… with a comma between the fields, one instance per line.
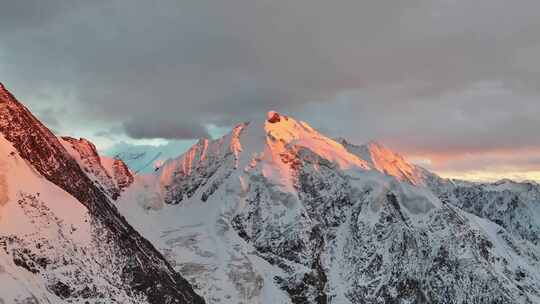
x=272, y=212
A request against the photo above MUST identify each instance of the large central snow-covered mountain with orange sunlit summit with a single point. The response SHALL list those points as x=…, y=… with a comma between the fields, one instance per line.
x=275, y=212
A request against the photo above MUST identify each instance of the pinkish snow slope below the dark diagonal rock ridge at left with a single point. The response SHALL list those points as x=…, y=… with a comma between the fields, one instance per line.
x=49, y=249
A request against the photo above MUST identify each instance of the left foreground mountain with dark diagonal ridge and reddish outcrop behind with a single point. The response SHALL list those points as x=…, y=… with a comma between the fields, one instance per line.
x=61, y=238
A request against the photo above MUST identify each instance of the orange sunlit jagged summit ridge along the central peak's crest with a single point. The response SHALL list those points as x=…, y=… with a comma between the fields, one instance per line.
x=272, y=145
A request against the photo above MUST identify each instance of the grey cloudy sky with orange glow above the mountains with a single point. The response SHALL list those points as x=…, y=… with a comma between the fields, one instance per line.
x=453, y=85
